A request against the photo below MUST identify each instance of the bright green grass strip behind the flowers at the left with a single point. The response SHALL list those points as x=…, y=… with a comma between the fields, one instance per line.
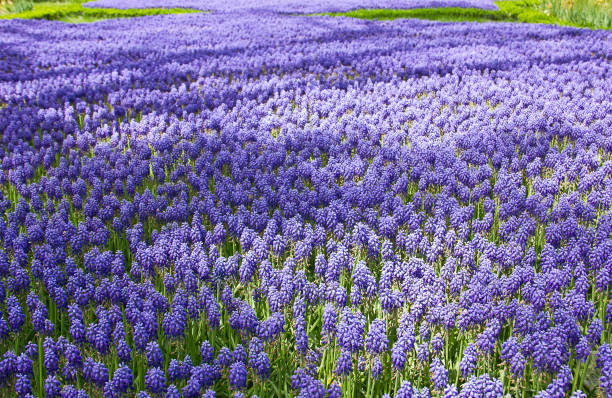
x=74, y=12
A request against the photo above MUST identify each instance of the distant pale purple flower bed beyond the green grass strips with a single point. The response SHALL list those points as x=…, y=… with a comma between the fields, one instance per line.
x=290, y=6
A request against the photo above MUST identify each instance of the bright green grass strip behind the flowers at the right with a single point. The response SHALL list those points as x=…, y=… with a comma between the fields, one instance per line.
x=525, y=11
